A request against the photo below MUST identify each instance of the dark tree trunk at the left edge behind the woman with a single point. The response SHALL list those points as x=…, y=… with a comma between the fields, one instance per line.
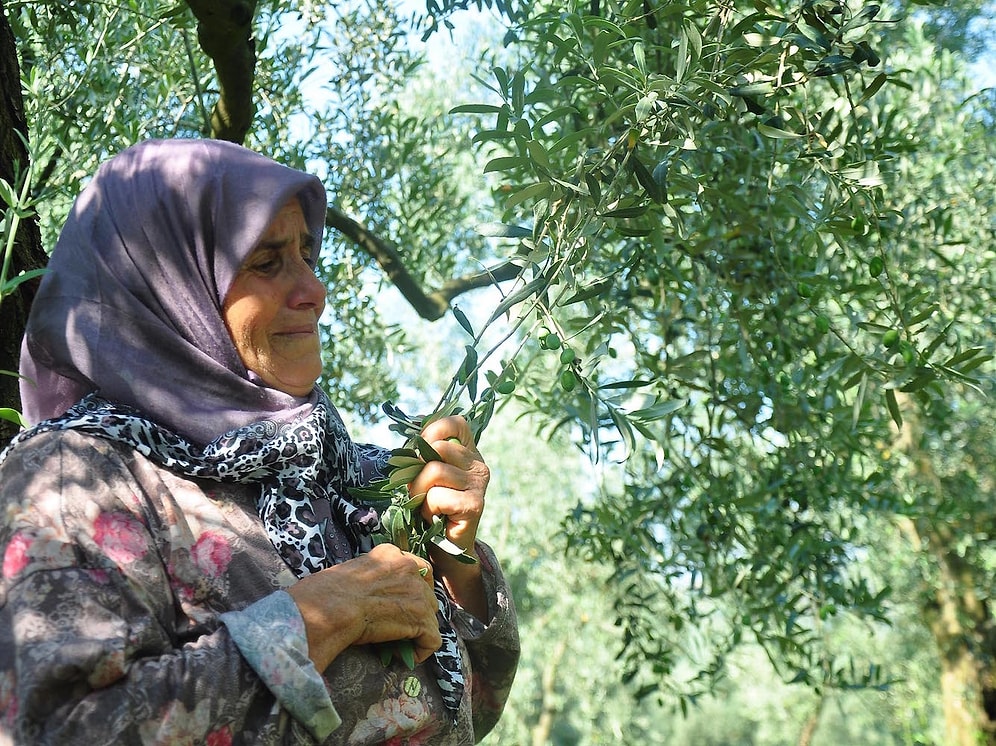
x=28, y=252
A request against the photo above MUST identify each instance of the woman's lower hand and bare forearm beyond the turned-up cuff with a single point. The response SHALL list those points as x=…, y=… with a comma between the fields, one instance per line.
x=382, y=596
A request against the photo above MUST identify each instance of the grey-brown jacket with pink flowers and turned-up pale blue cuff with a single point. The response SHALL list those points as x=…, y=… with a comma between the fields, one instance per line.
x=142, y=607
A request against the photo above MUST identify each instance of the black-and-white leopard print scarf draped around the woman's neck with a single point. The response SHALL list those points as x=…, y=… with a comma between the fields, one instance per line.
x=304, y=470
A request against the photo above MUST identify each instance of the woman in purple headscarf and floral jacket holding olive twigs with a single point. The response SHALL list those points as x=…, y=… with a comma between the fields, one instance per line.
x=181, y=559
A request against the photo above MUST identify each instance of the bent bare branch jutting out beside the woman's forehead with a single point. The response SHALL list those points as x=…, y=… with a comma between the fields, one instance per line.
x=432, y=305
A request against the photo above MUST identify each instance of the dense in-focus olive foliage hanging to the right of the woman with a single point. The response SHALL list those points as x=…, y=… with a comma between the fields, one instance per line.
x=704, y=198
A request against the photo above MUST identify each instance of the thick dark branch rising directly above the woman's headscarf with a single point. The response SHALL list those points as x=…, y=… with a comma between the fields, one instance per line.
x=224, y=30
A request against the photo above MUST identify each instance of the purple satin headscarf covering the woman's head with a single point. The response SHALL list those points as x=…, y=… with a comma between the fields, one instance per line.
x=131, y=305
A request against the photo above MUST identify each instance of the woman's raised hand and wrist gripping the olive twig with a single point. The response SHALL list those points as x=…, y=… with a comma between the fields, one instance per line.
x=454, y=490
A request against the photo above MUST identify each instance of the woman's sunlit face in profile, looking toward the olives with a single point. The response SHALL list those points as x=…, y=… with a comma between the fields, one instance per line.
x=273, y=306
